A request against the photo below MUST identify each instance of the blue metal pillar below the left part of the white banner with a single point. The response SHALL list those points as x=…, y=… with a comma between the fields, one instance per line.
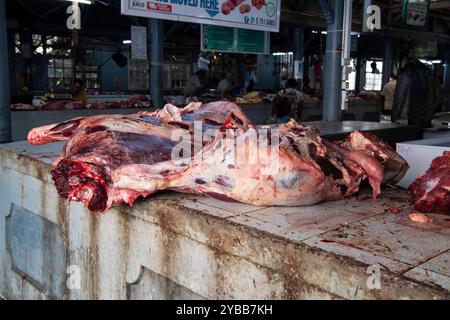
x=156, y=27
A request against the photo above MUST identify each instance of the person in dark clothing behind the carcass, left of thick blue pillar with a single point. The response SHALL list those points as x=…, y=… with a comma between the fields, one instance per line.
x=289, y=103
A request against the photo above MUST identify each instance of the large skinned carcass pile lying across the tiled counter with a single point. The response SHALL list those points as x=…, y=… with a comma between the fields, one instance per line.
x=113, y=159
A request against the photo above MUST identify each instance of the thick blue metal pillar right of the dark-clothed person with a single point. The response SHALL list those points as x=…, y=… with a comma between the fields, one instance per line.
x=332, y=66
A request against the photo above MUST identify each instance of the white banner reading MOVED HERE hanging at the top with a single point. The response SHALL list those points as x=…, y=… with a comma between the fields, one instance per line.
x=245, y=14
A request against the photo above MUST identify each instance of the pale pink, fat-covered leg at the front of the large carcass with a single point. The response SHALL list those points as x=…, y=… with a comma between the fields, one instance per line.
x=286, y=177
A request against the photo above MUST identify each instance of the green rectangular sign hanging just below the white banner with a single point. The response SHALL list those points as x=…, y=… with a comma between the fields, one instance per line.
x=225, y=39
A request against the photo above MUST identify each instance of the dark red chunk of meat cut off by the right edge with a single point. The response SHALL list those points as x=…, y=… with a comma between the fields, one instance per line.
x=431, y=191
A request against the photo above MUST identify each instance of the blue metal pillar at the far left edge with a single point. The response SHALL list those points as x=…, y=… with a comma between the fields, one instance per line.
x=5, y=100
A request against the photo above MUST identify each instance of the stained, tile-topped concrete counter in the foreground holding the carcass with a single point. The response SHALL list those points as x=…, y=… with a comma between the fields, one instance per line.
x=181, y=246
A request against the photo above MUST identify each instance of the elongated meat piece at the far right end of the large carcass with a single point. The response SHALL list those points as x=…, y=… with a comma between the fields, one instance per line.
x=395, y=167
